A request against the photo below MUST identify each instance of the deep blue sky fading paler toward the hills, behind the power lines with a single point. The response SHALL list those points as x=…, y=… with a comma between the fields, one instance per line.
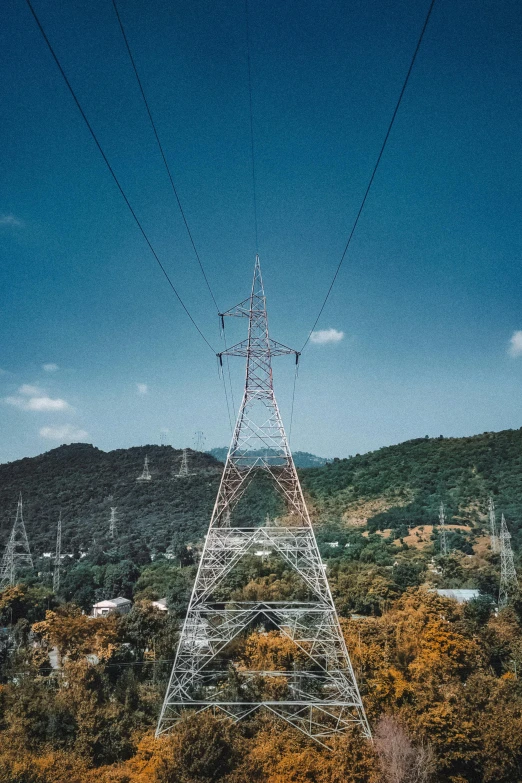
x=427, y=301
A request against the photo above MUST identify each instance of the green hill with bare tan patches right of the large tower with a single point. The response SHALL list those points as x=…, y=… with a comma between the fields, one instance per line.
x=402, y=486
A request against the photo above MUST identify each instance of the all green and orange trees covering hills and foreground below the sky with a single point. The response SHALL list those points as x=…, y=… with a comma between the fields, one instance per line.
x=79, y=697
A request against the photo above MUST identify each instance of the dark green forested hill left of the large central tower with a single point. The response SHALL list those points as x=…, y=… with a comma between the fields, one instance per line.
x=84, y=482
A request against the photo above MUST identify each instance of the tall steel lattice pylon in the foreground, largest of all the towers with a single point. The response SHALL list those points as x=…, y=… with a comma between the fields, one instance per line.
x=318, y=695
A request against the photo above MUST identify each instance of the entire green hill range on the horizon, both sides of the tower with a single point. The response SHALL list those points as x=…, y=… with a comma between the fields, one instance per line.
x=394, y=488
